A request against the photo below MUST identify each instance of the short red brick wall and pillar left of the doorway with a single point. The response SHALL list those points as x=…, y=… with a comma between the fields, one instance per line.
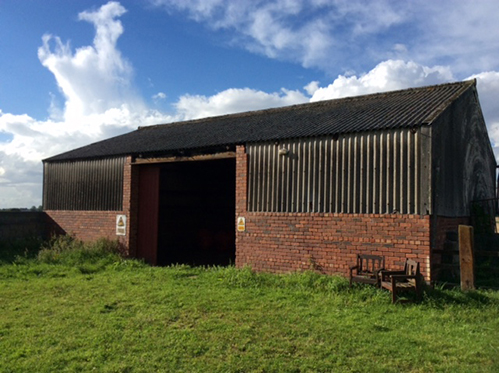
x=92, y=225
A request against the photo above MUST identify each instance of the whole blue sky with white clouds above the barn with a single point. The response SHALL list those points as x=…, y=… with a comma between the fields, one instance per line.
x=76, y=72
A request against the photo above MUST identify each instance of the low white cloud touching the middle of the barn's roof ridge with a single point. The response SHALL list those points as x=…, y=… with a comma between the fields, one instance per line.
x=235, y=100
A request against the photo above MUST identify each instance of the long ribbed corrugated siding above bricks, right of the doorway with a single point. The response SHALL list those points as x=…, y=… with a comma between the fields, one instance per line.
x=374, y=172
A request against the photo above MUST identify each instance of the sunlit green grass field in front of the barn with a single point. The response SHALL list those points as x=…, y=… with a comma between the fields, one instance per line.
x=85, y=309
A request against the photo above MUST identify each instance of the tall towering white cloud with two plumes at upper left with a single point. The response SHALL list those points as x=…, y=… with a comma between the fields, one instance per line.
x=94, y=78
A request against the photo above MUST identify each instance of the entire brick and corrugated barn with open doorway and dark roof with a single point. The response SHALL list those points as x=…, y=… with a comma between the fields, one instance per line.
x=301, y=187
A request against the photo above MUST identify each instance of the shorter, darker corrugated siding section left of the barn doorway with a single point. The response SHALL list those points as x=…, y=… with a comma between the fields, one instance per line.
x=93, y=185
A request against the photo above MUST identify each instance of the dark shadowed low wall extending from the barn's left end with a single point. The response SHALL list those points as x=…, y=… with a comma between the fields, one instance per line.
x=20, y=225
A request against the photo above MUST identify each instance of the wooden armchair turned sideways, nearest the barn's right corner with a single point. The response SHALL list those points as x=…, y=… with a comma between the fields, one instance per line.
x=399, y=281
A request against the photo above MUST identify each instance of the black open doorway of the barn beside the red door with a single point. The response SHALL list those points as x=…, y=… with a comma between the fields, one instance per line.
x=197, y=213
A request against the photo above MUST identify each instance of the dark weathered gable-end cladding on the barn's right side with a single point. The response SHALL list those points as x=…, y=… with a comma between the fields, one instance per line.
x=463, y=162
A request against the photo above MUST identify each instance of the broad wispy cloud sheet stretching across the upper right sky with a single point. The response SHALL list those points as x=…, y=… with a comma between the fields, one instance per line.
x=356, y=34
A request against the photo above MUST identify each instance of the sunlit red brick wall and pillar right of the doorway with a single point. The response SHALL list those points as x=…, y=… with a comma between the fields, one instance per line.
x=281, y=242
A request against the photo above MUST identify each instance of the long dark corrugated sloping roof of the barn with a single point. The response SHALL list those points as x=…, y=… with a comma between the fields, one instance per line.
x=390, y=110
